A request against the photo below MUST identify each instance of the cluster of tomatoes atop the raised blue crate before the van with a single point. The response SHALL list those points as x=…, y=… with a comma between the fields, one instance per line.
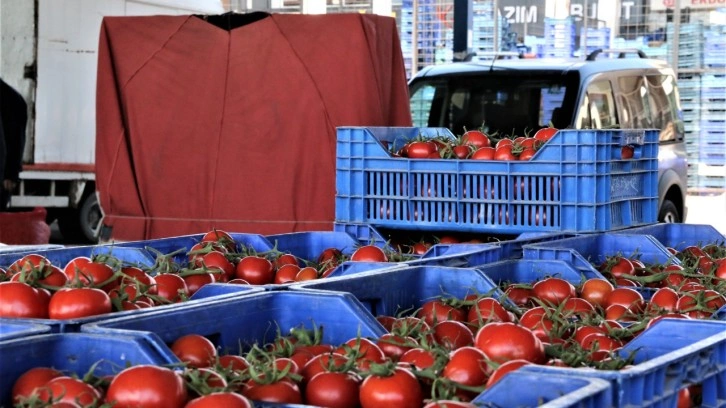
x=477, y=145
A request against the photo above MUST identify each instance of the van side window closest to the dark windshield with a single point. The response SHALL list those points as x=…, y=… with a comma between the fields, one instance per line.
x=597, y=110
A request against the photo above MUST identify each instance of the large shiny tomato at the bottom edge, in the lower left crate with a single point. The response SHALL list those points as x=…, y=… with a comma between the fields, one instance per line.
x=147, y=386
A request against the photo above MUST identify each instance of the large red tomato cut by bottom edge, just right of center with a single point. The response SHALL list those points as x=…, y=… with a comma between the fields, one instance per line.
x=400, y=390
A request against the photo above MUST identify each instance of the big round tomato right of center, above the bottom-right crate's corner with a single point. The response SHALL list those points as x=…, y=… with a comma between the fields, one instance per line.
x=502, y=342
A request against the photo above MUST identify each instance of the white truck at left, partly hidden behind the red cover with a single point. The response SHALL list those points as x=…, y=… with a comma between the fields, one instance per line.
x=48, y=52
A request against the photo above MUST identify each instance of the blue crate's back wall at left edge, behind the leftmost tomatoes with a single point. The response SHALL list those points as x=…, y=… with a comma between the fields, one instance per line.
x=61, y=256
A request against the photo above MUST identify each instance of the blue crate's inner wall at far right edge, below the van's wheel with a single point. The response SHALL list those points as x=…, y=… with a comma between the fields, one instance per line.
x=680, y=236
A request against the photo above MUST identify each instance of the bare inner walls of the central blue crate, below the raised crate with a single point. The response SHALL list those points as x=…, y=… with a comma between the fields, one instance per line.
x=405, y=290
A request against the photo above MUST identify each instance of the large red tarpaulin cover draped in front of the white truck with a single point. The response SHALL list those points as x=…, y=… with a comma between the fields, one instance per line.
x=201, y=127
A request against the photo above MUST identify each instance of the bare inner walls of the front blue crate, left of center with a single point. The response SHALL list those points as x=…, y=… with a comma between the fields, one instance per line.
x=242, y=321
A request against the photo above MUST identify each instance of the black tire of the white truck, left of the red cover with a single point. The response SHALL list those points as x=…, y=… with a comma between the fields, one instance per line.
x=81, y=225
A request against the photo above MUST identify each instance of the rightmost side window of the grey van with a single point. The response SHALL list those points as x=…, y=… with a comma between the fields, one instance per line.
x=662, y=96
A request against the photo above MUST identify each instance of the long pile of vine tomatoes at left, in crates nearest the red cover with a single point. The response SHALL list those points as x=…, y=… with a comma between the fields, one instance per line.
x=33, y=287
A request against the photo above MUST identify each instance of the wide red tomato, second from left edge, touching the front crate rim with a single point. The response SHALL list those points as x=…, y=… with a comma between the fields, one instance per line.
x=73, y=303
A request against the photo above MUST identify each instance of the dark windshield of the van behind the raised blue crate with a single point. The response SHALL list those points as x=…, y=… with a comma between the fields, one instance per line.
x=508, y=103
